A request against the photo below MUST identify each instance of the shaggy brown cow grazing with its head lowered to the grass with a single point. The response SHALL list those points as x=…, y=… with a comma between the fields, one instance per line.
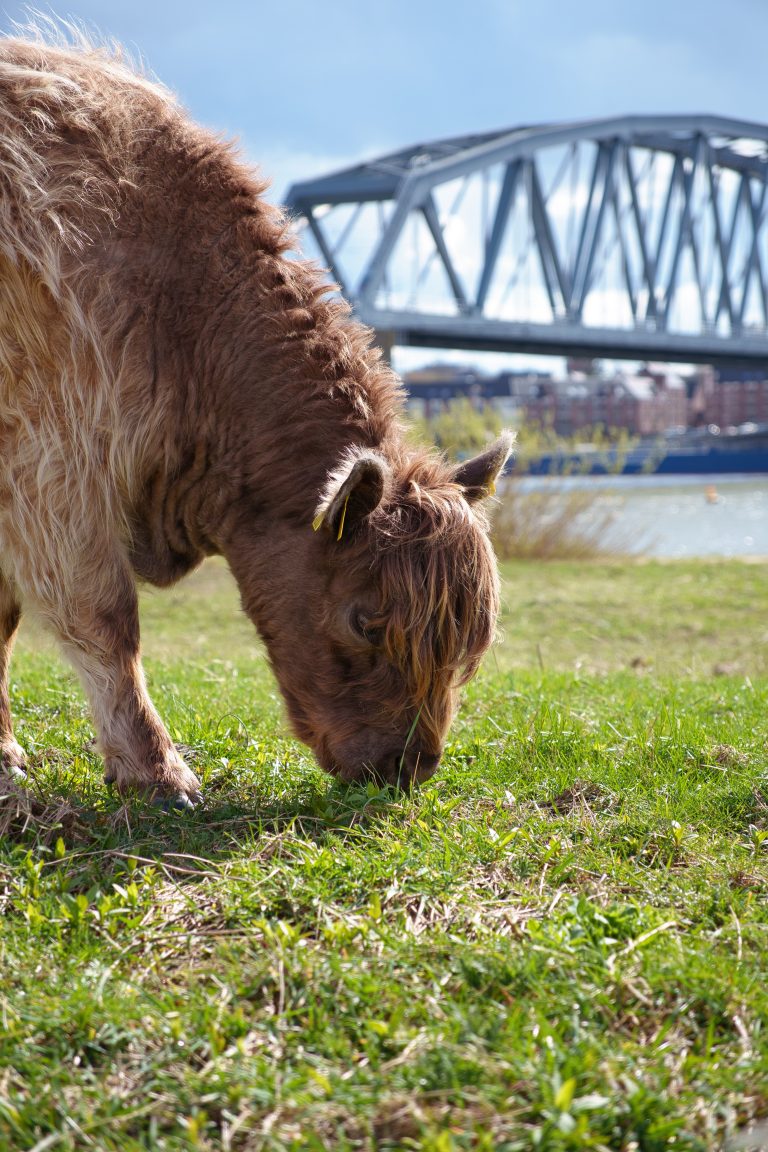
x=174, y=385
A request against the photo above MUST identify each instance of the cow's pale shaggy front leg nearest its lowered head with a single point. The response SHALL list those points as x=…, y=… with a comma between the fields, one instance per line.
x=98, y=626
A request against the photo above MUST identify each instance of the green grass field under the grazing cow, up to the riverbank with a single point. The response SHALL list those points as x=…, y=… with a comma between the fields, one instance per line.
x=559, y=943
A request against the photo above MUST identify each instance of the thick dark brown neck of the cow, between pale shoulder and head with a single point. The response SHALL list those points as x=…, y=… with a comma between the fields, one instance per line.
x=271, y=383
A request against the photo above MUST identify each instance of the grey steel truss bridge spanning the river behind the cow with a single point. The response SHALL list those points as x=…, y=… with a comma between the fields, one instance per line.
x=643, y=238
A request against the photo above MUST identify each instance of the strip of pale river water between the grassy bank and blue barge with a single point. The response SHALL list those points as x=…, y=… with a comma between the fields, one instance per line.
x=682, y=517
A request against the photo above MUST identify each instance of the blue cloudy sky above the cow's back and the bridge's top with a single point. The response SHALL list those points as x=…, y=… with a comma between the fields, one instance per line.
x=311, y=86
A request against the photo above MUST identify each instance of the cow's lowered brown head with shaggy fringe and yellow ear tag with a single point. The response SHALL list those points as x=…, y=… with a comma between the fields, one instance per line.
x=375, y=619
